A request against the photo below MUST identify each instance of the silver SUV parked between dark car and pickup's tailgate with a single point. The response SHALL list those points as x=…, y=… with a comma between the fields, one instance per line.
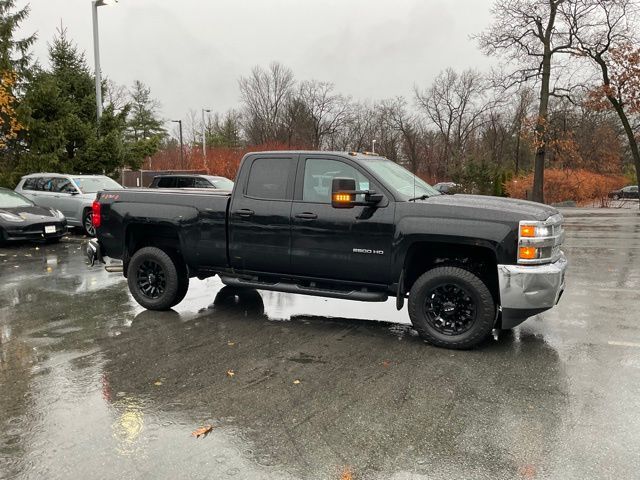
x=73, y=195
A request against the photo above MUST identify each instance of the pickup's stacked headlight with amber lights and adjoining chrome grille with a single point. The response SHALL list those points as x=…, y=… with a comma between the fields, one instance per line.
x=540, y=242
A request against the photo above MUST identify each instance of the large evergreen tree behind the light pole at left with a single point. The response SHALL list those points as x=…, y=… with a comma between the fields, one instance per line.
x=63, y=134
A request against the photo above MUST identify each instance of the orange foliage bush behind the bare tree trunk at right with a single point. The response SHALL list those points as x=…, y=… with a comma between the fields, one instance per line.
x=563, y=185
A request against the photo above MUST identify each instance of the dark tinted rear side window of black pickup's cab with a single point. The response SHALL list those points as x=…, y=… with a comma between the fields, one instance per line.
x=269, y=177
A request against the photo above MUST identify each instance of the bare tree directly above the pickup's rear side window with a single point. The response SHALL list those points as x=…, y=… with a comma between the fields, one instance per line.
x=265, y=95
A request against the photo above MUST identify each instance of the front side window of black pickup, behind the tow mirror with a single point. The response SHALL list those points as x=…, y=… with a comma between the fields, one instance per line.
x=318, y=175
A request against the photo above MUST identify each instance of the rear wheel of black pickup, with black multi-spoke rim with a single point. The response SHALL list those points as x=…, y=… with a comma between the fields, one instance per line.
x=156, y=280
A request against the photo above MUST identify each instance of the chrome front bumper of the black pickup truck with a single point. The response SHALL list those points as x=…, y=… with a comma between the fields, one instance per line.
x=526, y=290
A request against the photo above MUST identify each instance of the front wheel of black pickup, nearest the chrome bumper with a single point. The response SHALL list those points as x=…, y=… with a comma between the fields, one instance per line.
x=451, y=307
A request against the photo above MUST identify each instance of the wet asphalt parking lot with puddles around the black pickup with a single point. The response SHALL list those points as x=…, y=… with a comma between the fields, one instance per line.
x=92, y=386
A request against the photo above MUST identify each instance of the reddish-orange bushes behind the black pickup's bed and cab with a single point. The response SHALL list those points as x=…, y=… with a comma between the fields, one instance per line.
x=222, y=161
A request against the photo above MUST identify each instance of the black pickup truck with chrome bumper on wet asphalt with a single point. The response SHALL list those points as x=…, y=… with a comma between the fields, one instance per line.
x=343, y=225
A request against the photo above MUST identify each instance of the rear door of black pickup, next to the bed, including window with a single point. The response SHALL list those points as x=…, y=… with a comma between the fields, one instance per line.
x=260, y=214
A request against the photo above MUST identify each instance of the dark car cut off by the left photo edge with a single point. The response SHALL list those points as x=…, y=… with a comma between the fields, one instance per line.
x=21, y=219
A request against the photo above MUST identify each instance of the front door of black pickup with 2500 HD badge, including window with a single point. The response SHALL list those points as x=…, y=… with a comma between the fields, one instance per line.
x=343, y=244
